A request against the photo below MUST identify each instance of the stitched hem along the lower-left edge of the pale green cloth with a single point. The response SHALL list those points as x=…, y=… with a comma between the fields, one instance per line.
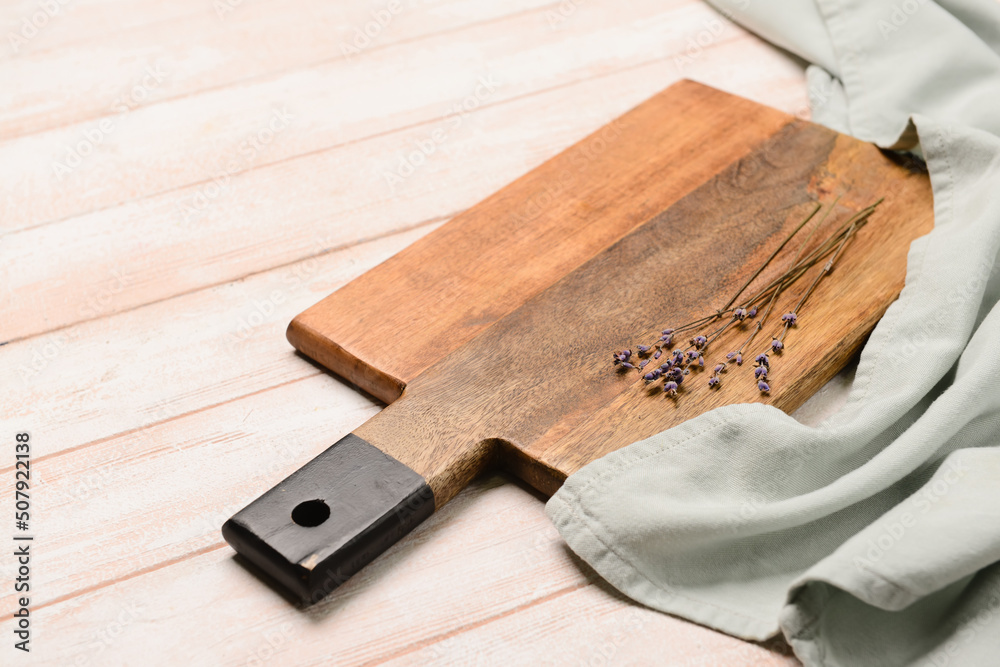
x=588, y=544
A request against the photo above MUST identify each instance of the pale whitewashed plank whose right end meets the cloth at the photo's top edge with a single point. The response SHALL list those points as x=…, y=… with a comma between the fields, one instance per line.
x=193, y=139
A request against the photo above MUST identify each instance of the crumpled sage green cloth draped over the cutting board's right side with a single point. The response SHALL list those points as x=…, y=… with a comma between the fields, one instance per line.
x=873, y=539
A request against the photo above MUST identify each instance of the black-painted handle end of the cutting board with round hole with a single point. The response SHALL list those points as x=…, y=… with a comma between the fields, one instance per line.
x=330, y=518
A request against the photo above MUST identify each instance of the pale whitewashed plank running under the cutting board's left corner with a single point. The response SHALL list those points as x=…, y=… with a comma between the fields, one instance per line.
x=93, y=381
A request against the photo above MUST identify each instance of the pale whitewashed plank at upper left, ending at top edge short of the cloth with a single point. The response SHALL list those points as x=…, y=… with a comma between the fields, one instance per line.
x=100, y=78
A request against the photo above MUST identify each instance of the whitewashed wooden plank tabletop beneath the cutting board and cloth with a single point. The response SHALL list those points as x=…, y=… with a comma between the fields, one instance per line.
x=179, y=180
